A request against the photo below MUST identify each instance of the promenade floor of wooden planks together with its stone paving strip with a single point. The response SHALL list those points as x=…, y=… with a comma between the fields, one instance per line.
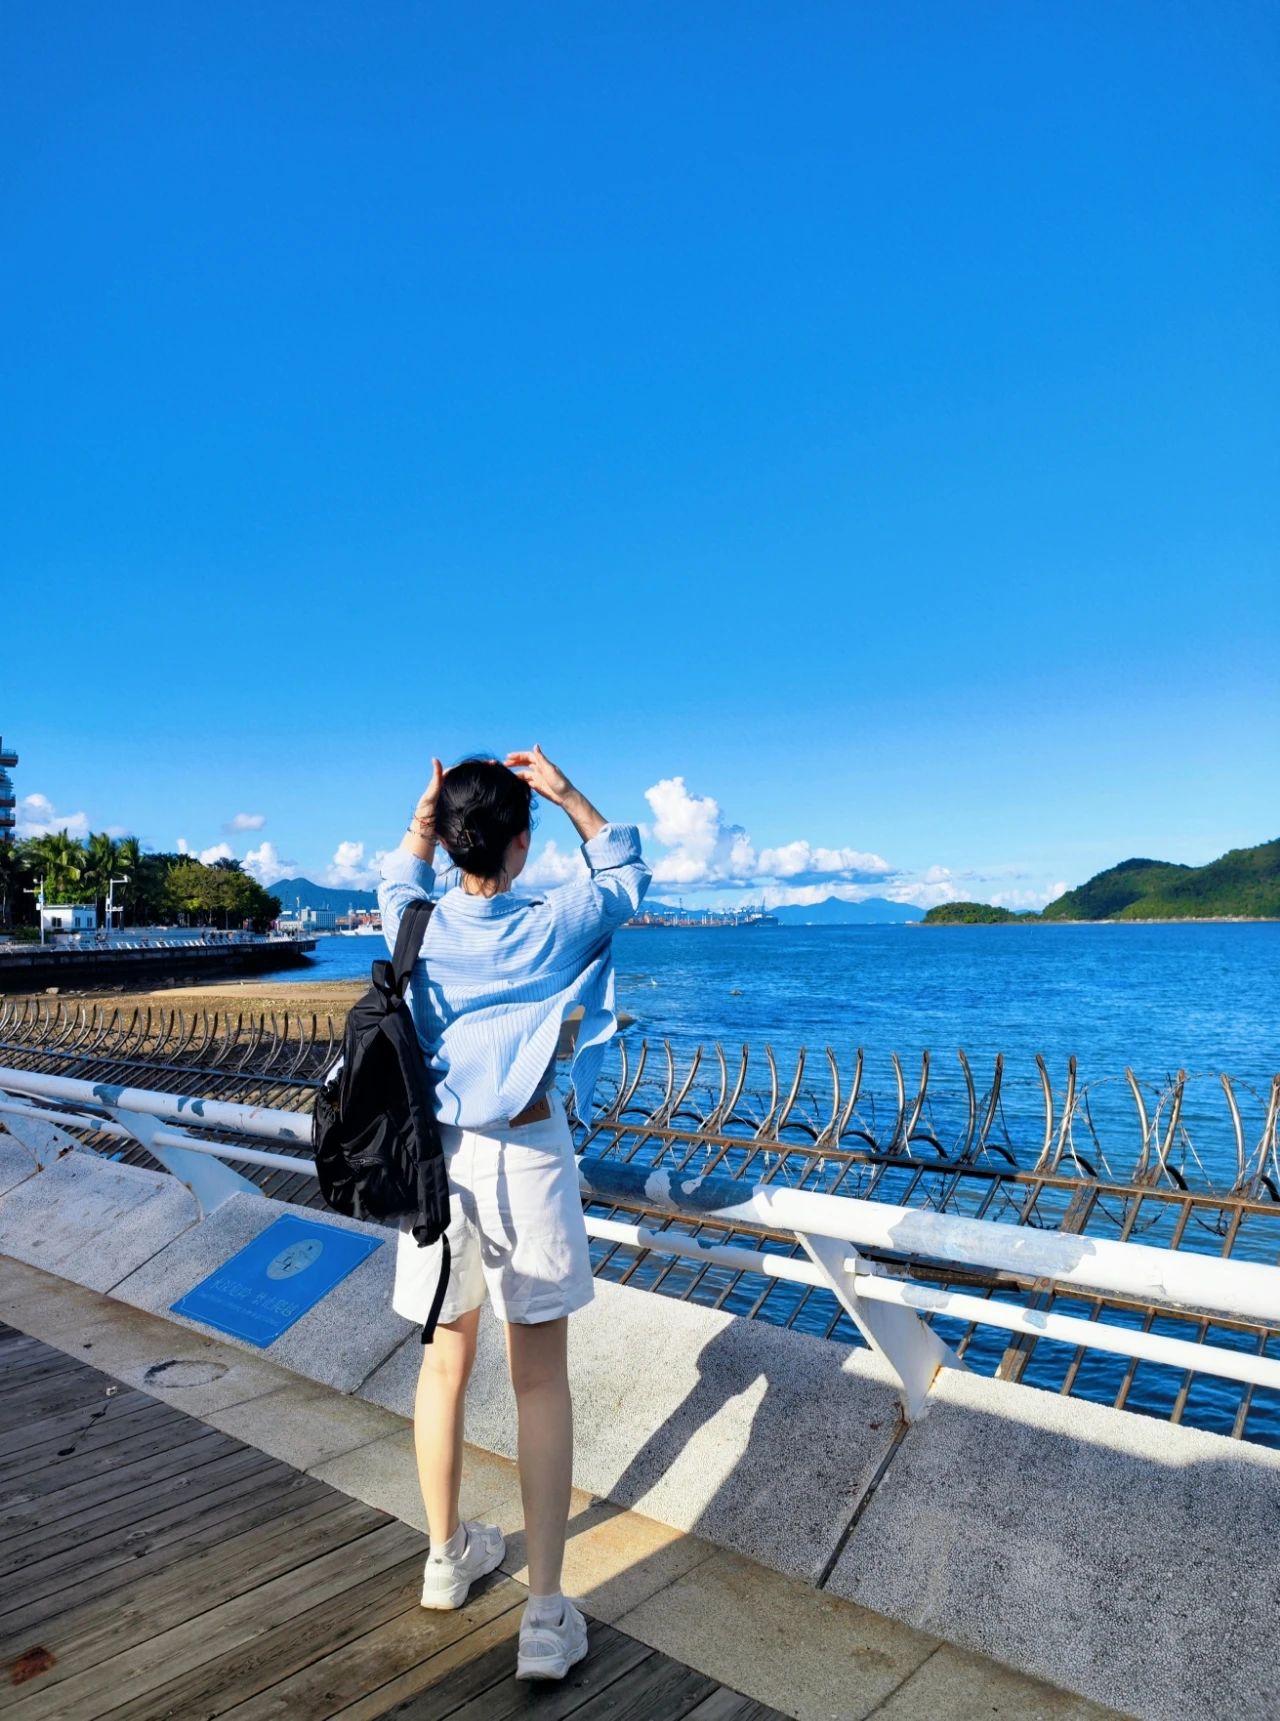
x=197, y=1533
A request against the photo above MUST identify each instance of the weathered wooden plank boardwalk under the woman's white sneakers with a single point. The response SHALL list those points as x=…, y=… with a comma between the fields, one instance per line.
x=152, y=1567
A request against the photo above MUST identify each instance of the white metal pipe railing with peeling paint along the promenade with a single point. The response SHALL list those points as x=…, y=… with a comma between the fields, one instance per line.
x=183, y=1133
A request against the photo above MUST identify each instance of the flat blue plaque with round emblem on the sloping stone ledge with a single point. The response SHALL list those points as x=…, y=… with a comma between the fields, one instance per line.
x=273, y=1281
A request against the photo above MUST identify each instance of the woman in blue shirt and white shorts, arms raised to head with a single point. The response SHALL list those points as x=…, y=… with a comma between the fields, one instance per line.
x=489, y=994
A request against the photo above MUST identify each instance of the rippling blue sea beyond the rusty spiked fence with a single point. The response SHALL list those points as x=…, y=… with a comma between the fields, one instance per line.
x=1152, y=999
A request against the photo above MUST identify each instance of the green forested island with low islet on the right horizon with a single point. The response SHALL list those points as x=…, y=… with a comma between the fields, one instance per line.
x=1241, y=885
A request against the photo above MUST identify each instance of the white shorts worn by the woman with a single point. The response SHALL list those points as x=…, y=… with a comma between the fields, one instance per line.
x=517, y=1230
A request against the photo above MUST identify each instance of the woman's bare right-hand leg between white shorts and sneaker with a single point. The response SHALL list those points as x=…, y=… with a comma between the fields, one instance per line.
x=541, y=1378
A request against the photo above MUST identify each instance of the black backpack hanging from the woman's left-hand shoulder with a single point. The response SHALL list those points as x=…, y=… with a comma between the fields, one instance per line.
x=374, y=1133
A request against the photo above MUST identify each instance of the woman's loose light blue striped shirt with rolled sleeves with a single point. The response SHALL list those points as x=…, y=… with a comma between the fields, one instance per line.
x=498, y=975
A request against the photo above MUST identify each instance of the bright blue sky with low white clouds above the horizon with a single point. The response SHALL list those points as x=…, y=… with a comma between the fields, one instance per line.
x=844, y=436
